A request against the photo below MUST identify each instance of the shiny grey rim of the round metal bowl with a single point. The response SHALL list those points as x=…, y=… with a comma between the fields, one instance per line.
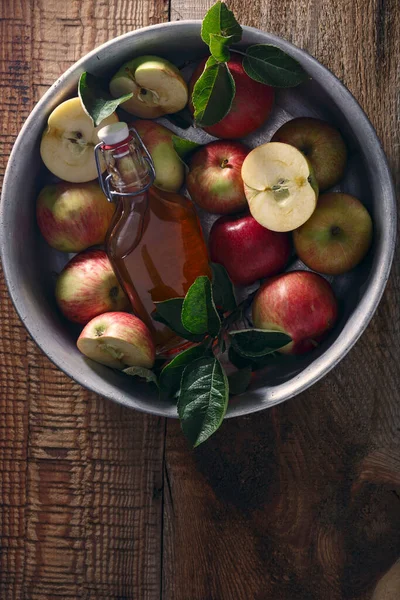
x=369, y=302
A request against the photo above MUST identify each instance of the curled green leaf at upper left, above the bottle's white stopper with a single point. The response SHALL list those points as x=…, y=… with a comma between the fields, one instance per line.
x=96, y=100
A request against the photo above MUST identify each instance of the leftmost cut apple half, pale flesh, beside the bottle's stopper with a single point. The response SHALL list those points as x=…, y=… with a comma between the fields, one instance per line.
x=68, y=142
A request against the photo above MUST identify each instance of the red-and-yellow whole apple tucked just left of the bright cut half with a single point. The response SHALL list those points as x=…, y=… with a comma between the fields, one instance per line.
x=214, y=180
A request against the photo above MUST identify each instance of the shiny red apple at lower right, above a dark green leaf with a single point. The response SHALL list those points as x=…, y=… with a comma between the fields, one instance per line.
x=299, y=303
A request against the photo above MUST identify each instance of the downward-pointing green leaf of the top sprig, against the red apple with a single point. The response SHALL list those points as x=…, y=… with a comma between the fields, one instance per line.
x=213, y=93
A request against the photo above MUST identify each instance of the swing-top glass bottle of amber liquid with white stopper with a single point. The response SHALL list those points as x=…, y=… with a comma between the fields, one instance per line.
x=155, y=242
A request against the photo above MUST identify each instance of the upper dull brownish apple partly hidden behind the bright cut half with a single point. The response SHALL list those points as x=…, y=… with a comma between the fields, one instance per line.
x=321, y=143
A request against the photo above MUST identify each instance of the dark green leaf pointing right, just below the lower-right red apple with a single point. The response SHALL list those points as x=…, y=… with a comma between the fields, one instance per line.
x=256, y=343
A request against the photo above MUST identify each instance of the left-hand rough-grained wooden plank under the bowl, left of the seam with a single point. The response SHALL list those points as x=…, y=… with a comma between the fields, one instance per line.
x=80, y=478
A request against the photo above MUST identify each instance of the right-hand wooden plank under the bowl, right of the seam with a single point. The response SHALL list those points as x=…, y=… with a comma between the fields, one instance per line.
x=303, y=501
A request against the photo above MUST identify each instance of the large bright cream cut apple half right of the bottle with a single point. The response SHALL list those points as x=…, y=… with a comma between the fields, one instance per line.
x=280, y=186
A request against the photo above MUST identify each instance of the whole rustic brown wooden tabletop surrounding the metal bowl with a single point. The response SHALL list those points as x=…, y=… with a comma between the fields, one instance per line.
x=298, y=502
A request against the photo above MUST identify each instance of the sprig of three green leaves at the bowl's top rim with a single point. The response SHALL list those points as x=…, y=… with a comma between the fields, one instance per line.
x=214, y=91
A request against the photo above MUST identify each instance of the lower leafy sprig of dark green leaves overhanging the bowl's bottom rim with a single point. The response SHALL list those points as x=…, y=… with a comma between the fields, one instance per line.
x=196, y=377
